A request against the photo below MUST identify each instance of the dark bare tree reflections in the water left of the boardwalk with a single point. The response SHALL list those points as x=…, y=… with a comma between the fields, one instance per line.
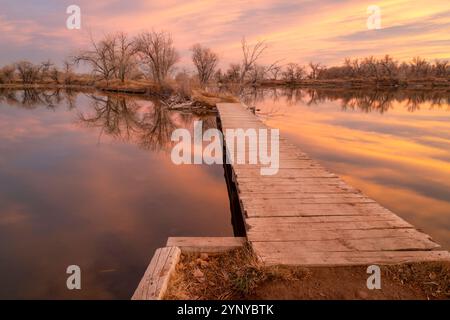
x=147, y=123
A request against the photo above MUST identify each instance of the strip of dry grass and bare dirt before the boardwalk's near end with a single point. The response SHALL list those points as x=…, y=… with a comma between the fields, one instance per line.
x=237, y=274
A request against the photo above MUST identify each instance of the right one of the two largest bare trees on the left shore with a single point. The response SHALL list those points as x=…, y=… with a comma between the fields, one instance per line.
x=157, y=54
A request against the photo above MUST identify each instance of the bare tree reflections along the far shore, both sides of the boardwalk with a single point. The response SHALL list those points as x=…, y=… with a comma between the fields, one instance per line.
x=150, y=124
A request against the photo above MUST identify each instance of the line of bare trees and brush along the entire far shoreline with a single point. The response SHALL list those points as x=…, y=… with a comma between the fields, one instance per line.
x=152, y=56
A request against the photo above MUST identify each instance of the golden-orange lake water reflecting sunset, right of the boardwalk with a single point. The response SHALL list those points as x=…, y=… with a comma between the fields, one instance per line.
x=395, y=147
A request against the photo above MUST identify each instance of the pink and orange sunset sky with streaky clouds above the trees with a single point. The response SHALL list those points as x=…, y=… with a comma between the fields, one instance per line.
x=324, y=31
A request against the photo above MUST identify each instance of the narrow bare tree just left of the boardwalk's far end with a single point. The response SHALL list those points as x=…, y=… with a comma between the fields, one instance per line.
x=205, y=60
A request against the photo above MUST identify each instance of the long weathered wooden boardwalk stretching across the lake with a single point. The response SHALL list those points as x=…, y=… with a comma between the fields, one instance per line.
x=306, y=215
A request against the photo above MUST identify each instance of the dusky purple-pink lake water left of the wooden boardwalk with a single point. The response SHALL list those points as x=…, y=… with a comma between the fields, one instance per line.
x=87, y=180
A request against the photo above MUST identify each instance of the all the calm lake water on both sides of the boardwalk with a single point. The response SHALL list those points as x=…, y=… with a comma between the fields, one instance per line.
x=86, y=179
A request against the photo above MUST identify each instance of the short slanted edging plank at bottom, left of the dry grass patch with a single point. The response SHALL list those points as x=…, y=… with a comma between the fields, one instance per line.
x=154, y=283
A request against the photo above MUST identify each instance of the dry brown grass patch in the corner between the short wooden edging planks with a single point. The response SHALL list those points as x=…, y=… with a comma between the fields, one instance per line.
x=232, y=275
